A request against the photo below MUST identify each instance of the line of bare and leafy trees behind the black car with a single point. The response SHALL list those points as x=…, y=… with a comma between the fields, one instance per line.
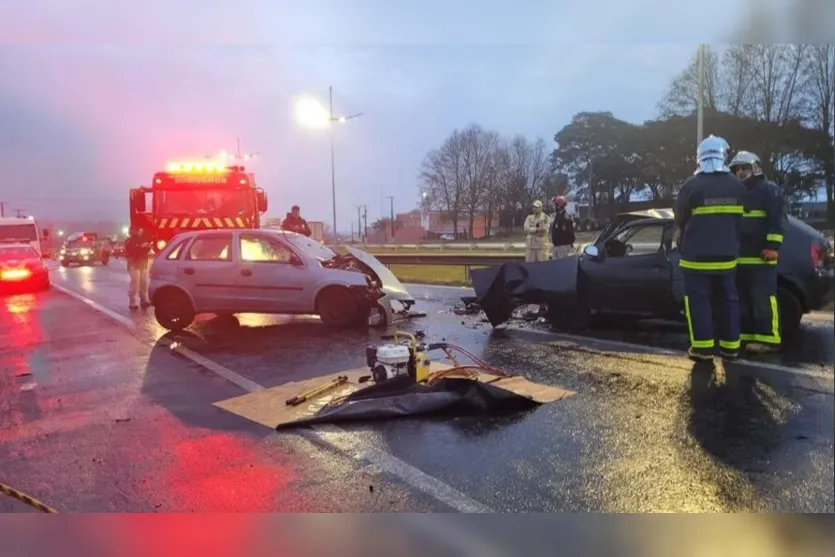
x=774, y=100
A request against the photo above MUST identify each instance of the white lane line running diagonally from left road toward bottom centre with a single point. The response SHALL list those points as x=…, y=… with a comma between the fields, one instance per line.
x=384, y=461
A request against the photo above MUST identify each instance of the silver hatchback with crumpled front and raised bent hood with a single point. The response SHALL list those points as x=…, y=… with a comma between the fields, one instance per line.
x=268, y=271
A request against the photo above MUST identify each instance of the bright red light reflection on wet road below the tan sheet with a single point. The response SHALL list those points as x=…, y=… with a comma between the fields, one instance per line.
x=219, y=473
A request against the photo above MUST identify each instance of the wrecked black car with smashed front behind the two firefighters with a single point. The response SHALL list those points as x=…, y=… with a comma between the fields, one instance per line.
x=632, y=269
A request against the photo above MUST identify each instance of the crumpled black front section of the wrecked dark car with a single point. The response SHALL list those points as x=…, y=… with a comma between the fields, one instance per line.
x=501, y=288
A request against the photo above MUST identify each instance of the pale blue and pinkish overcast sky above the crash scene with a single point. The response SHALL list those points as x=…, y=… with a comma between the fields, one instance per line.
x=80, y=124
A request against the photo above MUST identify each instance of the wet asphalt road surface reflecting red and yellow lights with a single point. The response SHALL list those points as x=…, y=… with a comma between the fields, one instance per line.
x=113, y=421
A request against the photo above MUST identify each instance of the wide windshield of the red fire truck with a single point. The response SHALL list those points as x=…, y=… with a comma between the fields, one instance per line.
x=215, y=202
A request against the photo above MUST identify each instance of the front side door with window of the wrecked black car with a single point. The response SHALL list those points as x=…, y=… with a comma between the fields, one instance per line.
x=633, y=272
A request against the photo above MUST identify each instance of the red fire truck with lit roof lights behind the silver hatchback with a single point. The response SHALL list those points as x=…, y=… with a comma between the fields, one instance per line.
x=196, y=196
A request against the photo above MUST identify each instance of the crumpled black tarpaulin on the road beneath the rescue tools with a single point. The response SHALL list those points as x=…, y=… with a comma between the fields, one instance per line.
x=401, y=397
